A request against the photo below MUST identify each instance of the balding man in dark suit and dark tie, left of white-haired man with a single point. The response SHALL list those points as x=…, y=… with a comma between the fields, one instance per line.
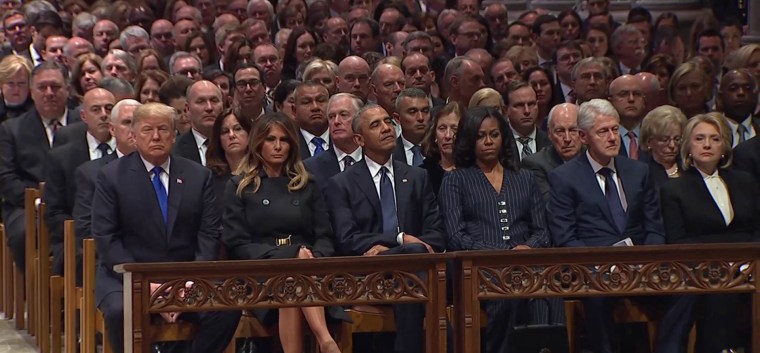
x=60, y=188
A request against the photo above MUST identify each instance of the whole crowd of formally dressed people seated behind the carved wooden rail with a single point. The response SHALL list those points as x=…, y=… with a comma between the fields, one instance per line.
x=169, y=130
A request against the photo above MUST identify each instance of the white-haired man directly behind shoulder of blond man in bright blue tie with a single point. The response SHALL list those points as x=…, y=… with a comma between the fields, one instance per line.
x=120, y=127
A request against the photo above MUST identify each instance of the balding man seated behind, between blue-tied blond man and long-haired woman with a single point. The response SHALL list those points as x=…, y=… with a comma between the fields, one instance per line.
x=204, y=105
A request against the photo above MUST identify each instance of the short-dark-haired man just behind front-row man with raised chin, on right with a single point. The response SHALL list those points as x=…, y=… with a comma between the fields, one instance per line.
x=413, y=114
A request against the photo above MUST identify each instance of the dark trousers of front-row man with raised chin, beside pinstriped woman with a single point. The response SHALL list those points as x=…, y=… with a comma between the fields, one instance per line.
x=410, y=318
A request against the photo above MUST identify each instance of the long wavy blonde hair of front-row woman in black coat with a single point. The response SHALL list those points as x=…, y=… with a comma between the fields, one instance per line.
x=252, y=164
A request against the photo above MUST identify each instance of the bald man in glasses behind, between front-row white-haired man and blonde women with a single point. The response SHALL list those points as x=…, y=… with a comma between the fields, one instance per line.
x=628, y=99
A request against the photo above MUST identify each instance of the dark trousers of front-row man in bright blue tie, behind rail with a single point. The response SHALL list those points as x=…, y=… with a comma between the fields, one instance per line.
x=215, y=328
